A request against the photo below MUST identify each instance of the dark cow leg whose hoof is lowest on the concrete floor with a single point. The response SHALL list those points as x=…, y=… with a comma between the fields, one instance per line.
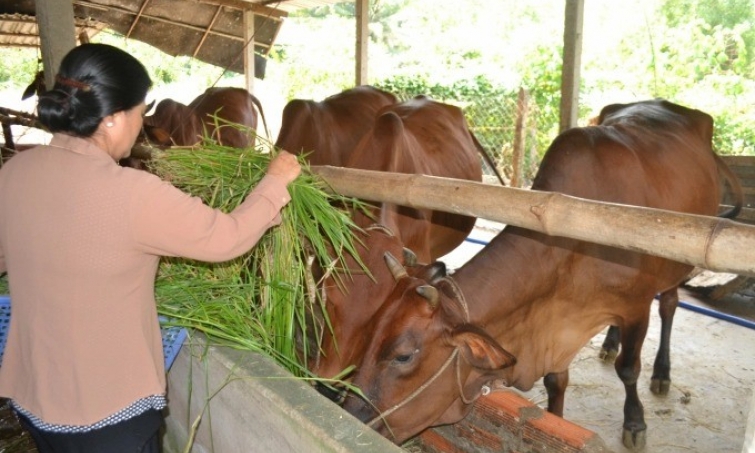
x=628, y=367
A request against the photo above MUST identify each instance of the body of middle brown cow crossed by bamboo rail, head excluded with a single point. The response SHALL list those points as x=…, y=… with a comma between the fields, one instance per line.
x=420, y=136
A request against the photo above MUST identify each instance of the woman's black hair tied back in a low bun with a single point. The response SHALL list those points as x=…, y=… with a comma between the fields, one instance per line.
x=94, y=81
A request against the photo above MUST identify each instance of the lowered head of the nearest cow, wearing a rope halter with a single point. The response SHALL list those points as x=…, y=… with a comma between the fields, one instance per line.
x=425, y=363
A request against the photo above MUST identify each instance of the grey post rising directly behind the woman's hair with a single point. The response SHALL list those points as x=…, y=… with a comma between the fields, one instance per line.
x=57, y=33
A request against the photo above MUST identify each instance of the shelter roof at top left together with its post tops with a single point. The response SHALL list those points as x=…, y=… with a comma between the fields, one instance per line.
x=213, y=31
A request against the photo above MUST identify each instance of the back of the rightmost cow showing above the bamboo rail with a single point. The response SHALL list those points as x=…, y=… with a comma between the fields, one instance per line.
x=642, y=154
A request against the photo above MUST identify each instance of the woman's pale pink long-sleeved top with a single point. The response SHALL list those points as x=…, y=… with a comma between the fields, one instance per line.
x=81, y=239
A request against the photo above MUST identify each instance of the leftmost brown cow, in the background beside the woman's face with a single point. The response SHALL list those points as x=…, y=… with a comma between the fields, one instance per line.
x=176, y=124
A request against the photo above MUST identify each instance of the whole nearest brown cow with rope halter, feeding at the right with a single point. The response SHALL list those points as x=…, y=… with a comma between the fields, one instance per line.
x=435, y=346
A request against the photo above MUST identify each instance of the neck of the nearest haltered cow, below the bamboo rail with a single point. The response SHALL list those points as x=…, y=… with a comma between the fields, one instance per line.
x=505, y=285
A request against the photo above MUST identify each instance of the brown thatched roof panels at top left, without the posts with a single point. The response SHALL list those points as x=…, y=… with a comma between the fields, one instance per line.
x=209, y=30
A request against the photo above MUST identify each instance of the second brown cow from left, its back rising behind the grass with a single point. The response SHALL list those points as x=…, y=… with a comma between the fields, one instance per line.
x=329, y=130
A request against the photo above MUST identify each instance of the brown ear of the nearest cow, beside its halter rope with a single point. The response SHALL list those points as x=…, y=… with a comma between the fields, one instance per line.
x=480, y=349
